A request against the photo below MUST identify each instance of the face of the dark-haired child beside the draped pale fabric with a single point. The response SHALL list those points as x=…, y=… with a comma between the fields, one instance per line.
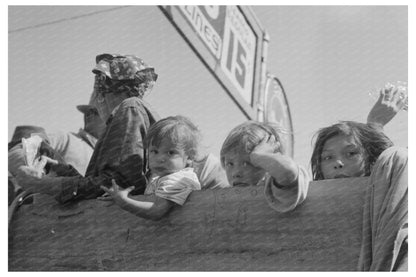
x=342, y=158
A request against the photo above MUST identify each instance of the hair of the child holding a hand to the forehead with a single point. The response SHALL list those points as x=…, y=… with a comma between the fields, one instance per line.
x=246, y=136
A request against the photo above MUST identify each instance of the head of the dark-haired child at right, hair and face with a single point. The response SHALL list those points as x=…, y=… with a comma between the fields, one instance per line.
x=347, y=149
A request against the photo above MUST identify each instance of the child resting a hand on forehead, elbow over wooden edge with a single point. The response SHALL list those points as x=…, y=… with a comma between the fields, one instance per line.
x=252, y=155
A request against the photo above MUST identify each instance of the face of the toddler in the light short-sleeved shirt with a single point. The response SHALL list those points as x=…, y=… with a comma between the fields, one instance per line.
x=167, y=158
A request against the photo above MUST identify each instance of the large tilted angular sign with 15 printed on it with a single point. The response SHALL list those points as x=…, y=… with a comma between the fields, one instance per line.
x=229, y=40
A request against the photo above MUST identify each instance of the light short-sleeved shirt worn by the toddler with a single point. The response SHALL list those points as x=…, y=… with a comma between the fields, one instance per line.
x=174, y=187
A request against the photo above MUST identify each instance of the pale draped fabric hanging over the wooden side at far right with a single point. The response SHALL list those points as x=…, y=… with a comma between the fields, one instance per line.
x=385, y=223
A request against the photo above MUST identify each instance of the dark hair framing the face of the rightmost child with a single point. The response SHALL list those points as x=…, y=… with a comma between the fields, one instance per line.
x=370, y=138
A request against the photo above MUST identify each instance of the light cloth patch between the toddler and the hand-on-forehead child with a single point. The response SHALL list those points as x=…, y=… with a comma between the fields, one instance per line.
x=210, y=173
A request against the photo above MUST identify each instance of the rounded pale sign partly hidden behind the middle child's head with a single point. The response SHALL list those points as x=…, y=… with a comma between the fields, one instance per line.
x=277, y=112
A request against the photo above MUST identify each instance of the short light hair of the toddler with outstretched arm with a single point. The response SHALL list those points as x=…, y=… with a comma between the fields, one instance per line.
x=178, y=130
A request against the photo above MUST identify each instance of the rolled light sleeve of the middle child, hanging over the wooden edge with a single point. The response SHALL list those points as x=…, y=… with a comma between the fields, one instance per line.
x=284, y=199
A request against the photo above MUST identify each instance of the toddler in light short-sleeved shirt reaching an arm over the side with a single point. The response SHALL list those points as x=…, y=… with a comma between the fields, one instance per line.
x=172, y=144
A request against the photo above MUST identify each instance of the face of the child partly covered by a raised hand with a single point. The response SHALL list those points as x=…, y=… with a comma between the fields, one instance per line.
x=239, y=170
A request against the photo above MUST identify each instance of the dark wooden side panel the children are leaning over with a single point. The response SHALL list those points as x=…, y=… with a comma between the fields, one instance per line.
x=216, y=230
